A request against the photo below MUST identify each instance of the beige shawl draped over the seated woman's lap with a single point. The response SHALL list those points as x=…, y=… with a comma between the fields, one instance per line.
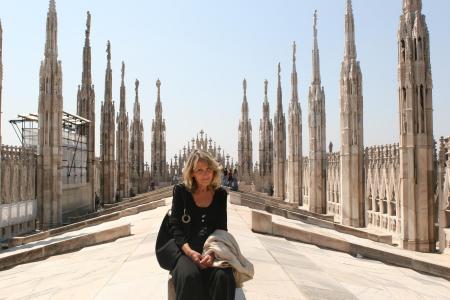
x=227, y=254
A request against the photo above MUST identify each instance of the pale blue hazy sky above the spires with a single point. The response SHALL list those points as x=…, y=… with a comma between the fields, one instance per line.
x=202, y=50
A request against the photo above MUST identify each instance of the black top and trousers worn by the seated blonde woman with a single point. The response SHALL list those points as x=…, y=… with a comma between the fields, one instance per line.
x=190, y=281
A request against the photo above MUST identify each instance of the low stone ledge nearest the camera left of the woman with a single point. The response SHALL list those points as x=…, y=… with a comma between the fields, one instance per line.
x=64, y=246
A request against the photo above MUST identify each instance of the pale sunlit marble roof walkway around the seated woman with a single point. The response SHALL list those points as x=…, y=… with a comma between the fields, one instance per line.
x=127, y=269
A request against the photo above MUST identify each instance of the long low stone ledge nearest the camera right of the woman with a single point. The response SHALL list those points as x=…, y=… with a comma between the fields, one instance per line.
x=406, y=259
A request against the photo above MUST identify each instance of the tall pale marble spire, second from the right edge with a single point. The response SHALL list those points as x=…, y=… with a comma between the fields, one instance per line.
x=352, y=134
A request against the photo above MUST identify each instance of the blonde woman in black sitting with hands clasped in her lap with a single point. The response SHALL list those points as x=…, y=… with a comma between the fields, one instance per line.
x=201, y=203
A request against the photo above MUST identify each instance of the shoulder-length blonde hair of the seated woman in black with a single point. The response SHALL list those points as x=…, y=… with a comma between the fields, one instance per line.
x=191, y=163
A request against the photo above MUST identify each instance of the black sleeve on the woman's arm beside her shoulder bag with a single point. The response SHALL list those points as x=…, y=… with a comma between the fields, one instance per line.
x=176, y=228
